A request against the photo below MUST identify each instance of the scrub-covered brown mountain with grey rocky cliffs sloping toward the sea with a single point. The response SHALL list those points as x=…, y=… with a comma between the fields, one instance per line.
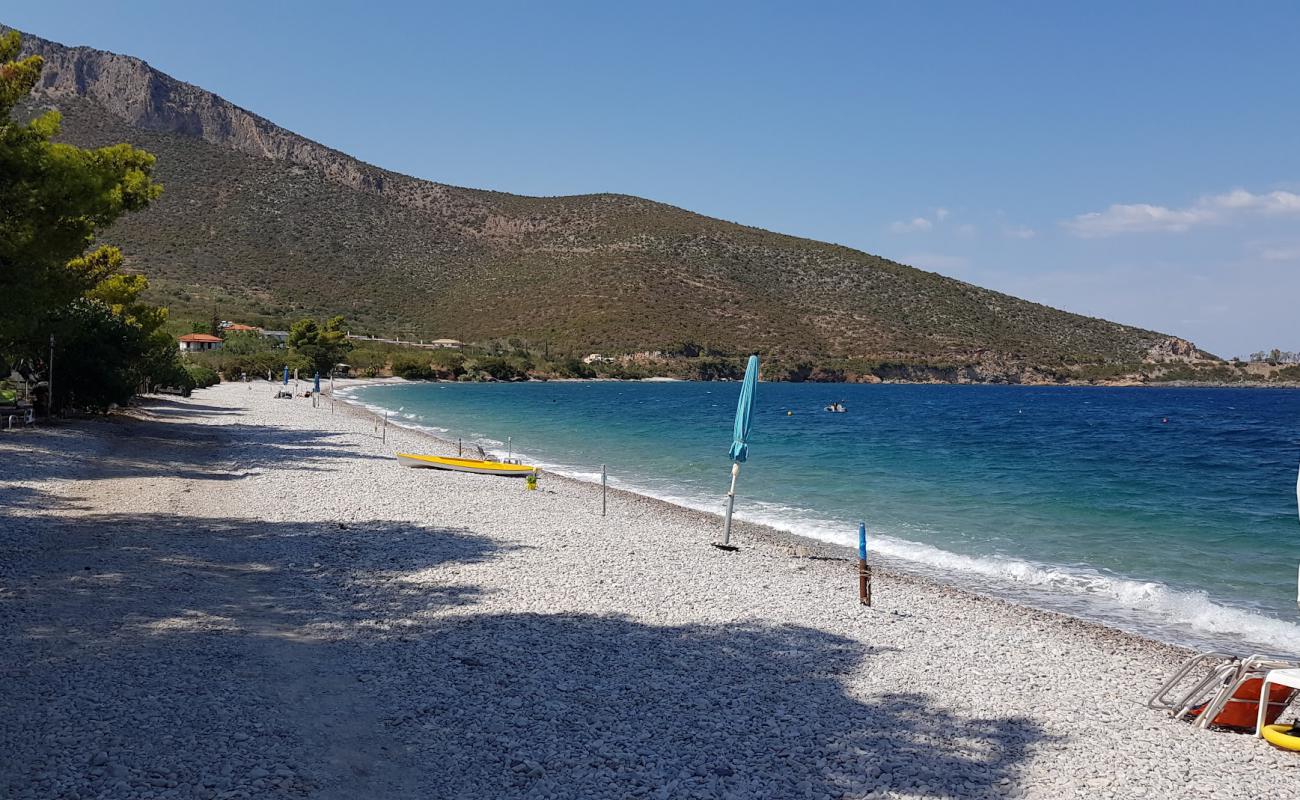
x=265, y=224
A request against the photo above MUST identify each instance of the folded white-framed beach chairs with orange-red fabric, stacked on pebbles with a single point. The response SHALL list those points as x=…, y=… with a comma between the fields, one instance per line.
x=1221, y=690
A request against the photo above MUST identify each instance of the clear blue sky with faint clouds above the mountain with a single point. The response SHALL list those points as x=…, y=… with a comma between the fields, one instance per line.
x=1137, y=162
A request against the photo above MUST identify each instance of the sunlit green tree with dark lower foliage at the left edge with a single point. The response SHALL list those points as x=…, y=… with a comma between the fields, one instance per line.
x=54, y=200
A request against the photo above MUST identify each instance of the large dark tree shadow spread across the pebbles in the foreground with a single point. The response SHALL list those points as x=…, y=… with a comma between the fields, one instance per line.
x=383, y=678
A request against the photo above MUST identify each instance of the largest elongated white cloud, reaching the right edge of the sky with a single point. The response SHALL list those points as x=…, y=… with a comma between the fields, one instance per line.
x=1145, y=218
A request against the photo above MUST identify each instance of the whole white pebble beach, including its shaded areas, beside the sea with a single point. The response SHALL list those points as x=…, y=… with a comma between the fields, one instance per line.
x=239, y=596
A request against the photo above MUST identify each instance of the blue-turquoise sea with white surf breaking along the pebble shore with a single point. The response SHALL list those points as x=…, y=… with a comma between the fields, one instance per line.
x=1164, y=512
